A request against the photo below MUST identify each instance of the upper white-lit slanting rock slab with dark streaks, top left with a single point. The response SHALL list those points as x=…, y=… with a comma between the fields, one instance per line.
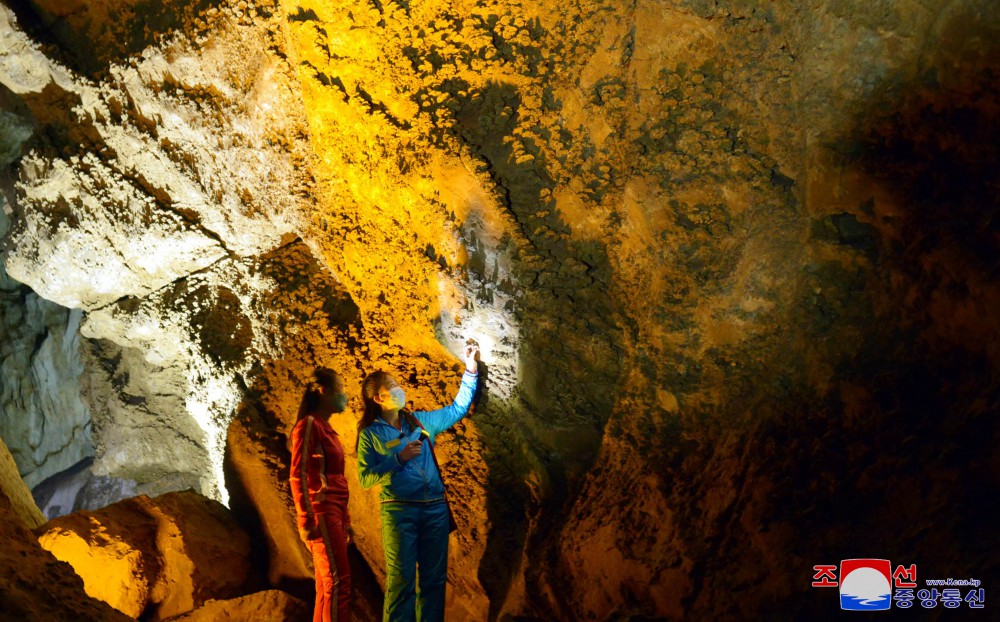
x=186, y=214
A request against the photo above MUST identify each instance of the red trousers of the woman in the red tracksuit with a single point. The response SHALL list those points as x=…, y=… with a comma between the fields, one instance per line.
x=333, y=573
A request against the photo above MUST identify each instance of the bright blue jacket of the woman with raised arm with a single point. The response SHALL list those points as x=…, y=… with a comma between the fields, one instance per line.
x=418, y=479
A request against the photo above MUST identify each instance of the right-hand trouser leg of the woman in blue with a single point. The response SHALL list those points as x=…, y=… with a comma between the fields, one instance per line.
x=432, y=562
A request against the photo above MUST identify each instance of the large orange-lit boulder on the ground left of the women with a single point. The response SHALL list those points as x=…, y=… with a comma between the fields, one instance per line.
x=153, y=557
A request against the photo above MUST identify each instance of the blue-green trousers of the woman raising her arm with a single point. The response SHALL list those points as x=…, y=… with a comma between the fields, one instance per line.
x=415, y=539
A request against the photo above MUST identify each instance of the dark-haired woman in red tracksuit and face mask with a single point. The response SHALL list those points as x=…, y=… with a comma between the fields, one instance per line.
x=320, y=493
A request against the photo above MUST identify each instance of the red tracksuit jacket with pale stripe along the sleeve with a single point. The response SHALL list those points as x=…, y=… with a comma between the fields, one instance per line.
x=317, y=472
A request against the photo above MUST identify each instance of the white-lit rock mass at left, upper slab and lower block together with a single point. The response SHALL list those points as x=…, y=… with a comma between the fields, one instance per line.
x=180, y=162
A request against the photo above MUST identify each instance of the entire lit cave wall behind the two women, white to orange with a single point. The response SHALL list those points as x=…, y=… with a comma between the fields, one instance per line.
x=733, y=265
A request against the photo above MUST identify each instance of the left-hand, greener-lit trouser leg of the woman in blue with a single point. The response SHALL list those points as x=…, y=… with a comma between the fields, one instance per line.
x=399, y=540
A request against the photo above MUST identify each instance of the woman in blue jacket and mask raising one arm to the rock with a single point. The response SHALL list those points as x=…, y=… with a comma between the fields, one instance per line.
x=395, y=449
